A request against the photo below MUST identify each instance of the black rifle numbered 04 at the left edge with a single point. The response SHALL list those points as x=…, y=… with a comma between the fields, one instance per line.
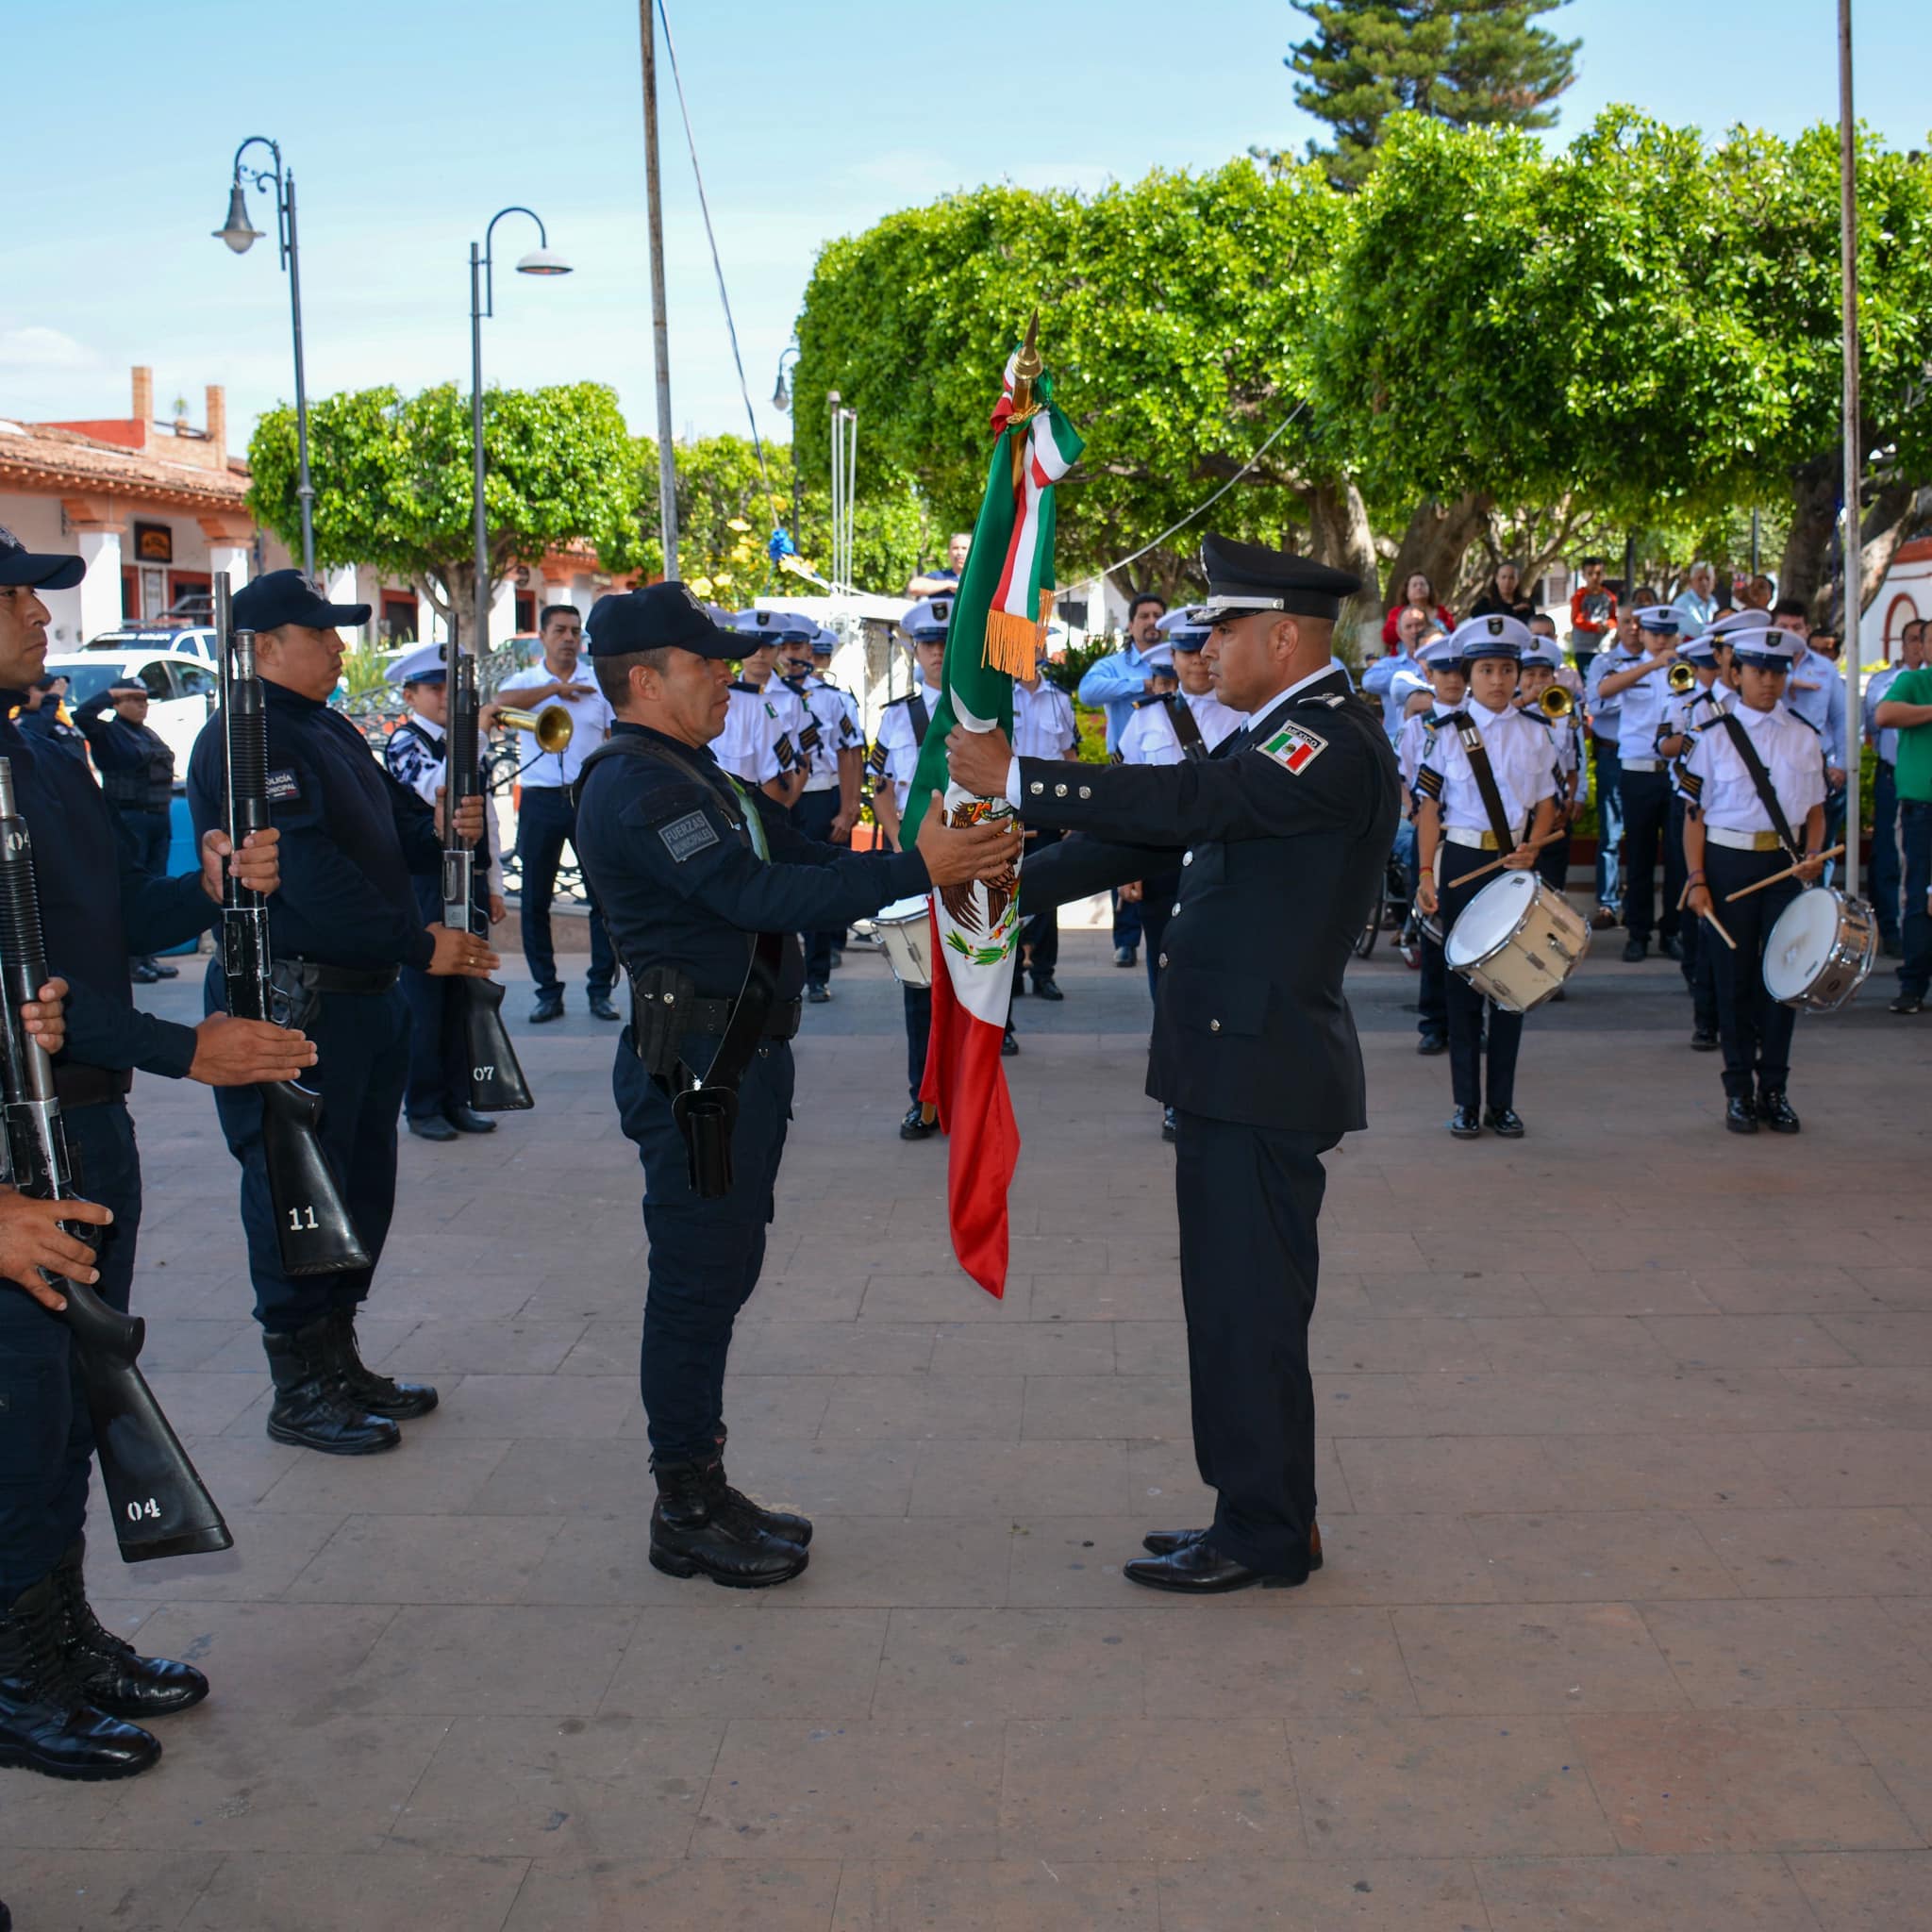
x=161, y=1504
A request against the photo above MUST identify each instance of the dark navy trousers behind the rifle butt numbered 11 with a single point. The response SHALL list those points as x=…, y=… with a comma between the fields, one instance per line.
x=362, y=1044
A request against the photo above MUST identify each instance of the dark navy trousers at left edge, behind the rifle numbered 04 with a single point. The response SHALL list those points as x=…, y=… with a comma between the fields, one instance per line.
x=47, y=1438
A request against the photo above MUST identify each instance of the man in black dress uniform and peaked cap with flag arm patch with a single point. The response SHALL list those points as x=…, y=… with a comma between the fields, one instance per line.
x=1286, y=836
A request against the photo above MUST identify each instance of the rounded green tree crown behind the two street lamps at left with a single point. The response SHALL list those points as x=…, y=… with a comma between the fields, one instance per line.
x=393, y=482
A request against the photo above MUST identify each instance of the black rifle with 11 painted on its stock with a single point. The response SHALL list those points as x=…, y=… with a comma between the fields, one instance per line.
x=312, y=1228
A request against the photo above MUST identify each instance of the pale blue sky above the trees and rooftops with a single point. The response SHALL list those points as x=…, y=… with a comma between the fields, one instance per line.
x=411, y=125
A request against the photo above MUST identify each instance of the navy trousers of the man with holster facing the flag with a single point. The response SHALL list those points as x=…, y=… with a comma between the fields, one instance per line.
x=706, y=1255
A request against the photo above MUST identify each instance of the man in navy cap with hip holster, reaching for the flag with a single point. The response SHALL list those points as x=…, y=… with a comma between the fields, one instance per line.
x=706, y=886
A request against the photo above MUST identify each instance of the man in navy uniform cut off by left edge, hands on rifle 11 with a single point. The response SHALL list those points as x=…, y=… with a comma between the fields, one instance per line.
x=67, y=1686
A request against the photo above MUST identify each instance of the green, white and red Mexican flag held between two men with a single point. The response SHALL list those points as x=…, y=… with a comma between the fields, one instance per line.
x=1000, y=613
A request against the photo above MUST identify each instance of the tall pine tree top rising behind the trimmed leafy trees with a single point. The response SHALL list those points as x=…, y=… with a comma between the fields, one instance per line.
x=1473, y=65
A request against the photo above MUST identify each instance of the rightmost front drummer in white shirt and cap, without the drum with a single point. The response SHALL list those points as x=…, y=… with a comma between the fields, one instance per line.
x=1757, y=783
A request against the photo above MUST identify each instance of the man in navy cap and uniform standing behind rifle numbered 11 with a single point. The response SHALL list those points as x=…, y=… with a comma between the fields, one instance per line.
x=341, y=928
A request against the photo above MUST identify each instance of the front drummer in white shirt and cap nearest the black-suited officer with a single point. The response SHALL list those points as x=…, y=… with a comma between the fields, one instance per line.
x=1489, y=787
